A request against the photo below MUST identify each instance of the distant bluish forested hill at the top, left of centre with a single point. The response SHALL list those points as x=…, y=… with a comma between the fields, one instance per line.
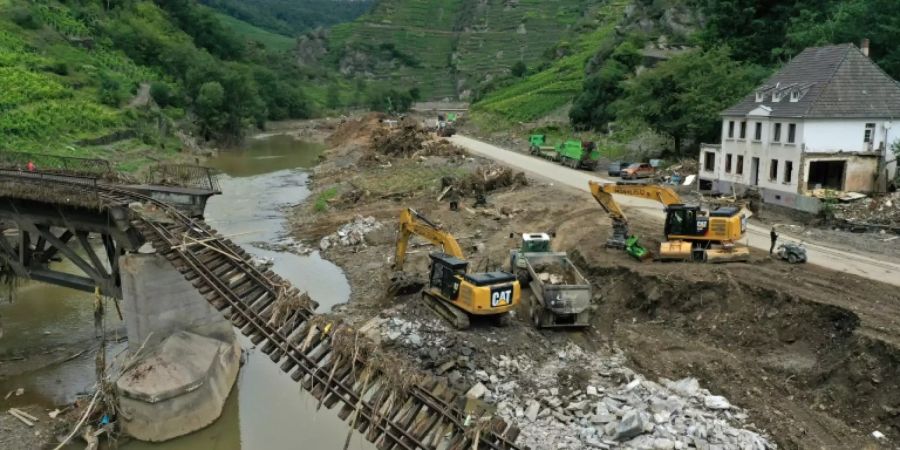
x=291, y=17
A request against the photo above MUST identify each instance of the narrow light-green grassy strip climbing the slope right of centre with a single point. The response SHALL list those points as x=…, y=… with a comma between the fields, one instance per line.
x=547, y=91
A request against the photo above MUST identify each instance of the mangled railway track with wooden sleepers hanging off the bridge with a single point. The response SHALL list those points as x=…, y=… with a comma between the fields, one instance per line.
x=422, y=414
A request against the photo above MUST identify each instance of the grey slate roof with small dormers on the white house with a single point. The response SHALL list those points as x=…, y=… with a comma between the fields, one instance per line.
x=841, y=82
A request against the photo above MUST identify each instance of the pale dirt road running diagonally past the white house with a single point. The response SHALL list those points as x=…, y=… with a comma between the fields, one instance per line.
x=868, y=266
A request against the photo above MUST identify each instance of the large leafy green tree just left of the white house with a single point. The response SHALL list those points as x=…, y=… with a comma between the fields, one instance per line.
x=682, y=97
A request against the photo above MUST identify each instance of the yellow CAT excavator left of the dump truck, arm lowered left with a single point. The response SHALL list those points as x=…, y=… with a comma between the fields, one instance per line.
x=451, y=291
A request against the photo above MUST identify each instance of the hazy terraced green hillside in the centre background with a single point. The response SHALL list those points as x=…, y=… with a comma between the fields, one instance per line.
x=489, y=43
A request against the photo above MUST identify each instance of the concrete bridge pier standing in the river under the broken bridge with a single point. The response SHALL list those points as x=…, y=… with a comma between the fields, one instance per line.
x=190, y=357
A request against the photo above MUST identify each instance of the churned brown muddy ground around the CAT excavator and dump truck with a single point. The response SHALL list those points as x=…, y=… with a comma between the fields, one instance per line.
x=811, y=354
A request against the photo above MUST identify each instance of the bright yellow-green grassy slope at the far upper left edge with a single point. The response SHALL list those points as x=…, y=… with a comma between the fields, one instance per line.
x=50, y=89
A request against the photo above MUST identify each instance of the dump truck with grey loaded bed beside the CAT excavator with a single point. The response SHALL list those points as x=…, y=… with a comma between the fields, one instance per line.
x=561, y=295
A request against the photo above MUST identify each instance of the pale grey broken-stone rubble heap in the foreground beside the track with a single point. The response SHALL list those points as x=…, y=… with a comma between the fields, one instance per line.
x=577, y=400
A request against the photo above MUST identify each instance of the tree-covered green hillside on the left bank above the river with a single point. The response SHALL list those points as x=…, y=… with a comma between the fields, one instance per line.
x=76, y=77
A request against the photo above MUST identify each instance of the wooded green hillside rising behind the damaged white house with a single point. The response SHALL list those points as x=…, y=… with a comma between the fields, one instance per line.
x=659, y=72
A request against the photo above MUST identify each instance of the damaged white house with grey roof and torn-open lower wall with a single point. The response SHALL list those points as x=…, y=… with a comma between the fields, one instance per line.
x=825, y=120
